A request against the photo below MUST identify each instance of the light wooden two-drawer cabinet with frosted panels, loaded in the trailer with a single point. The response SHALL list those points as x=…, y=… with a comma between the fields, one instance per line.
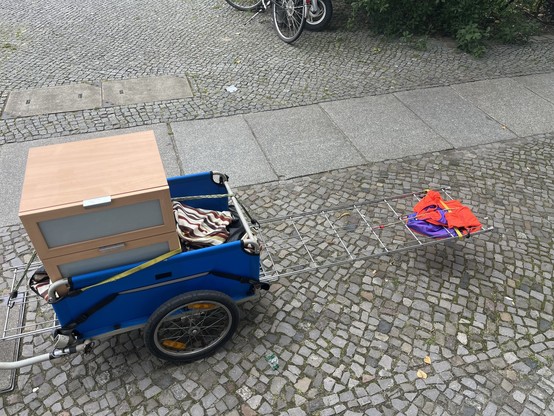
x=98, y=203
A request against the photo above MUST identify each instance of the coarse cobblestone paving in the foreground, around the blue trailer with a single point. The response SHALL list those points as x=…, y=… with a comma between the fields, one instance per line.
x=351, y=341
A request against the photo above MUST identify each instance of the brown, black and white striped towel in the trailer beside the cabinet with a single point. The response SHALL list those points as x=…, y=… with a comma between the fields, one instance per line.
x=199, y=227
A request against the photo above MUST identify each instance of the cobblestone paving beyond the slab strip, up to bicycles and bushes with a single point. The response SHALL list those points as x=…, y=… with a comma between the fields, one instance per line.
x=56, y=42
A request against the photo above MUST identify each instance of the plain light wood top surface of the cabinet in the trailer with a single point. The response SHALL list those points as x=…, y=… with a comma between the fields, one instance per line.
x=69, y=173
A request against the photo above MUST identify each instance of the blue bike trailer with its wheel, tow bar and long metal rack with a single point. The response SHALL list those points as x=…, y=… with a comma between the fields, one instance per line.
x=186, y=302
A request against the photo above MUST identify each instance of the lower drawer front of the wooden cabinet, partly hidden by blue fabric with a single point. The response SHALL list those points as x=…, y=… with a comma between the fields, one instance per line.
x=110, y=256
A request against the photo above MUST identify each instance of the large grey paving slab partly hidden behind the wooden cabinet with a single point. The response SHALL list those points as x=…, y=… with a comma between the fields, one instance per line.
x=13, y=159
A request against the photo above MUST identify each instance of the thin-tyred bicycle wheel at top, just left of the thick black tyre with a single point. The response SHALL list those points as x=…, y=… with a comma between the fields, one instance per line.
x=288, y=18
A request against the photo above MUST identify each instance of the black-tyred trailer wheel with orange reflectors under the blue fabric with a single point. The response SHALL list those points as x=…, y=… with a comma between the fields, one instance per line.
x=191, y=326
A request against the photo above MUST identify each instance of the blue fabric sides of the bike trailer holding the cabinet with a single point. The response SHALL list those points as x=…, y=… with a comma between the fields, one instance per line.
x=130, y=301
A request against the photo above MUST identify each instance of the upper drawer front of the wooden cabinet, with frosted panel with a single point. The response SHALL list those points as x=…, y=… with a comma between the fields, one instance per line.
x=73, y=229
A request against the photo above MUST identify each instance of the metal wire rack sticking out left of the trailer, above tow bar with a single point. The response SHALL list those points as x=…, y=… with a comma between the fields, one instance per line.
x=27, y=313
